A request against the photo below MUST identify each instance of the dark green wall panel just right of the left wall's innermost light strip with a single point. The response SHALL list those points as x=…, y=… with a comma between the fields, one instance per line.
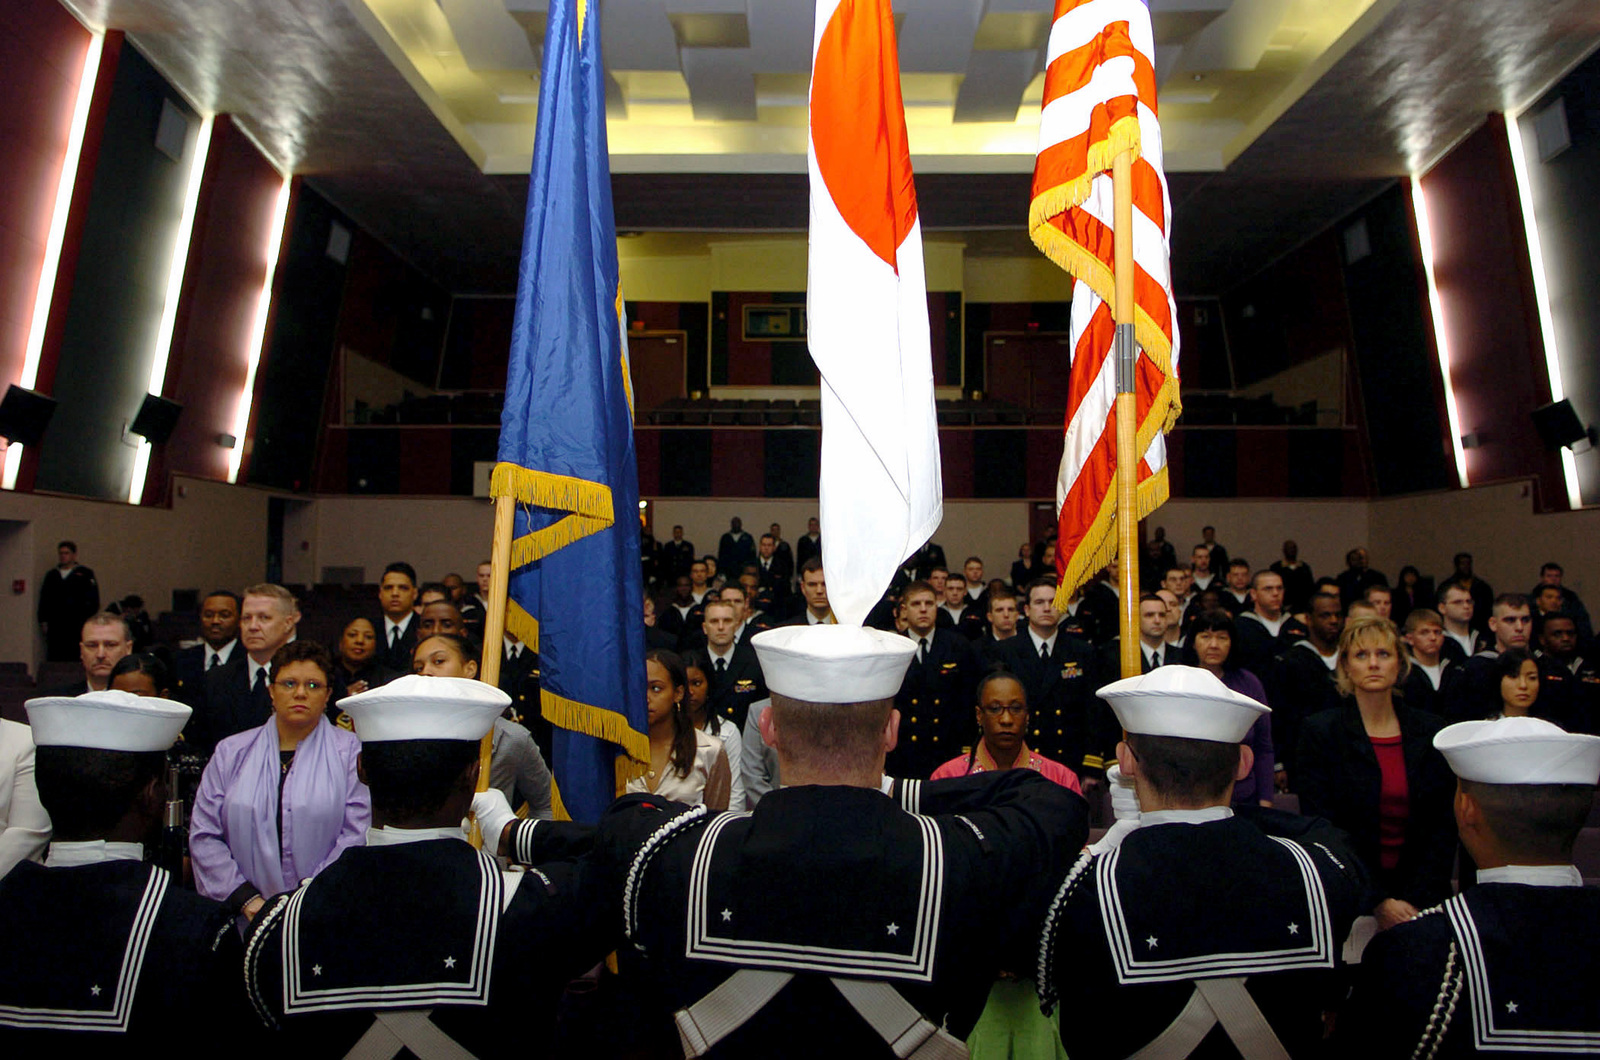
x=294, y=377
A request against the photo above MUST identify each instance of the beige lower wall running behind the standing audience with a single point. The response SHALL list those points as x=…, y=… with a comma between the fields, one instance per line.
x=215, y=536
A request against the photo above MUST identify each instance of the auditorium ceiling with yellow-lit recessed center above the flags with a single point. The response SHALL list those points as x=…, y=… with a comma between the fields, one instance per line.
x=417, y=116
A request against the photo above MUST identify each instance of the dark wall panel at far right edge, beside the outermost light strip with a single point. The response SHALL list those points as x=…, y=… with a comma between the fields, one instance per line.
x=1569, y=211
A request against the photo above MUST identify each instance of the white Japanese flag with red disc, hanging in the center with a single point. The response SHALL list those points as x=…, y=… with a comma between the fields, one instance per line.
x=868, y=311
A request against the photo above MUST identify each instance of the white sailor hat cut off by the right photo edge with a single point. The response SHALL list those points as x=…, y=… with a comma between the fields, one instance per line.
x=1519, y=752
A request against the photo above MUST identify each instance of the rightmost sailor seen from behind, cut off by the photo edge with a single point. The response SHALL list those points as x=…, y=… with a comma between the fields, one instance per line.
x=1508, y=966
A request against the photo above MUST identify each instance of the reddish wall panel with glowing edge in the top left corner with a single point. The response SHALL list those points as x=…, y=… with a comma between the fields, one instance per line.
x=42, y=50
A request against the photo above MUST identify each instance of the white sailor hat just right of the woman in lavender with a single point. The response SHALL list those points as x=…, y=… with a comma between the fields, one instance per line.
x=426, y=709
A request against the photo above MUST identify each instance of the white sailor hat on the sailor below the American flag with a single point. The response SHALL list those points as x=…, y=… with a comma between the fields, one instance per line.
x=1183, y=702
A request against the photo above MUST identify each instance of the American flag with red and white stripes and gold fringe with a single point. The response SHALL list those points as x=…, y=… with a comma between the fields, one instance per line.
x=1100, y=100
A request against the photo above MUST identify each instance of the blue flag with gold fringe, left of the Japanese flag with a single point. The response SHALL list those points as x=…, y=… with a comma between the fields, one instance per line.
x=567, y=440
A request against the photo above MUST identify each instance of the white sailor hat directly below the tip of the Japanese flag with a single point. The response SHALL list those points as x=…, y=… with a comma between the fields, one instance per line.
x=833, y=664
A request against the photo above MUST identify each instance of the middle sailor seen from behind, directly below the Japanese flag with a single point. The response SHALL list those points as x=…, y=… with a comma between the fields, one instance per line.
x=833, y=920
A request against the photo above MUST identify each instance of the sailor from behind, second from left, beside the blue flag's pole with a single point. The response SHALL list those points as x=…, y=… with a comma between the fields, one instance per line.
x=417, y=941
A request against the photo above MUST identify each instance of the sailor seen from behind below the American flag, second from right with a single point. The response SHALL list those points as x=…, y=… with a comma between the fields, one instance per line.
x=1196, y=931
